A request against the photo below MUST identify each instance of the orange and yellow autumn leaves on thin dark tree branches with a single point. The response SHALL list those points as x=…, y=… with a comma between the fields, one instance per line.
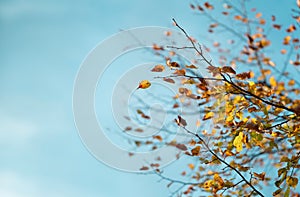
x=251, y=97
